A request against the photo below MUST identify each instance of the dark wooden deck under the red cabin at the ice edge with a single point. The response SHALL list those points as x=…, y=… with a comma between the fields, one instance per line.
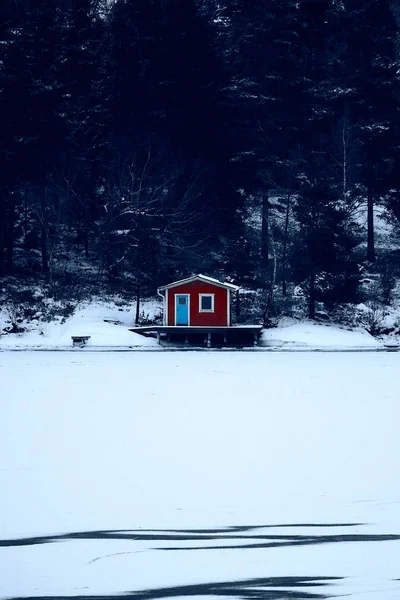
x=210, y=337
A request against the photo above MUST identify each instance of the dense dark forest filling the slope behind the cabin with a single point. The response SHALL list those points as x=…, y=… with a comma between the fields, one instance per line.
x=147, y=139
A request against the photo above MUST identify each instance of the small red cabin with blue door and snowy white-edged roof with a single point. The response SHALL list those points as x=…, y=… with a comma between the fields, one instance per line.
x=197, y=301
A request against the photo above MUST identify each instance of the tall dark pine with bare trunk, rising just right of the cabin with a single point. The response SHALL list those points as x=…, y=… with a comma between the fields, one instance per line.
x=265, y=95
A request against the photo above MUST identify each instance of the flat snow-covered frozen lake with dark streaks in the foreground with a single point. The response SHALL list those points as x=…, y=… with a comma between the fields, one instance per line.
x=240, y=474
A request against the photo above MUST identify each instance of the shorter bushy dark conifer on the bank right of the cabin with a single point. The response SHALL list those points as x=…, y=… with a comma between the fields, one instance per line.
x=323, y=258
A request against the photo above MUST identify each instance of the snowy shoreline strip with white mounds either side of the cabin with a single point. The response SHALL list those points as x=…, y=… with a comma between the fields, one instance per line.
x=107, y=327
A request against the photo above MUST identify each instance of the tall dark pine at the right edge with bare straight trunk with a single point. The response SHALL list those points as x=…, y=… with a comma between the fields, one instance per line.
x=371, y=67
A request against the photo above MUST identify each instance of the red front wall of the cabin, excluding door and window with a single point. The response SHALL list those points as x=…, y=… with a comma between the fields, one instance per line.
x=200, y=319
